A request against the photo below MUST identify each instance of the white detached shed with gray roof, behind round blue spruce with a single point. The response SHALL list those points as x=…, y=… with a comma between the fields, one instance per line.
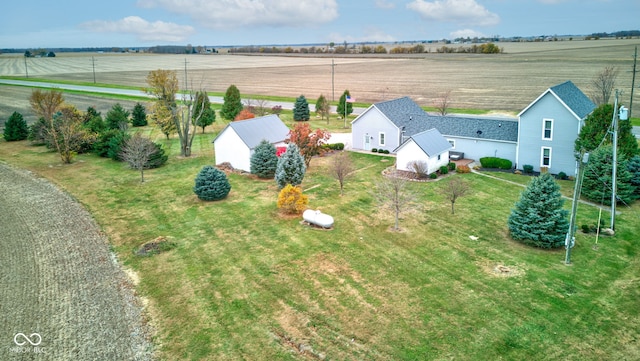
x=236, y=142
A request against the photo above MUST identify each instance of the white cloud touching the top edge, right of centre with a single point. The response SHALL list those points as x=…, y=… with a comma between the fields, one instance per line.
x=467, y=12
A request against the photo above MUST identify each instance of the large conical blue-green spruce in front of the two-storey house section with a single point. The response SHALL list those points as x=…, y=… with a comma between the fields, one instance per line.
x=538, y=218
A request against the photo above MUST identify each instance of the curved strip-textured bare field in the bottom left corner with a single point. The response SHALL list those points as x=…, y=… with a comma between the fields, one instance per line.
x=63, y=295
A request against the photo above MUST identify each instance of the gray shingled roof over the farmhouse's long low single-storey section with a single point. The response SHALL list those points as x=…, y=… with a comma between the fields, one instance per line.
x=407, y=115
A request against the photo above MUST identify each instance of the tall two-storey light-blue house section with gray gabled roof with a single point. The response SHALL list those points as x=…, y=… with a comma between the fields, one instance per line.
x=549, y=127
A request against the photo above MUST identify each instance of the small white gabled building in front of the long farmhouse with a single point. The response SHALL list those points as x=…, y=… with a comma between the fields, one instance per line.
x=428, y=146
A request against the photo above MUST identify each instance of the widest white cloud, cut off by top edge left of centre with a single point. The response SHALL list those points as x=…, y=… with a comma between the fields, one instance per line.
x=235, y=13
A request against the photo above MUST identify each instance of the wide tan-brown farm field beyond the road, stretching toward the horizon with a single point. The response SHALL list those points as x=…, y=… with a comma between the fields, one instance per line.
x=508, y=81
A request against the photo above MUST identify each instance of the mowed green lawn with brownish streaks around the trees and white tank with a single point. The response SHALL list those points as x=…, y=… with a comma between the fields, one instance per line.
x=245, y=283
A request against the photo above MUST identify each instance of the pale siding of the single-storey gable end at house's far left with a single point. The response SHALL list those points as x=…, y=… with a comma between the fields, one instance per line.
x=370, y=124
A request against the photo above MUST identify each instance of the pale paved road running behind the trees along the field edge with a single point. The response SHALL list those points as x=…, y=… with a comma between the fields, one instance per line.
x=140, y=93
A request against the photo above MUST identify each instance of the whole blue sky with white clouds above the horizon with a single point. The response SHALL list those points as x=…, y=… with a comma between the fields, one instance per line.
x=139, y=23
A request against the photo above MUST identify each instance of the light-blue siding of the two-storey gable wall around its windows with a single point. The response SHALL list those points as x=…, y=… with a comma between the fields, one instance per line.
x=564, y=132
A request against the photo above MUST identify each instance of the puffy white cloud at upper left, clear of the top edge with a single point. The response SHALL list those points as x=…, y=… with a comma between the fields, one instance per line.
x=142, y=29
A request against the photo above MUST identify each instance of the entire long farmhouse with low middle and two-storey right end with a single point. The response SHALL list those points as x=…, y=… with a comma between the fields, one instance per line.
x=542, y=136
